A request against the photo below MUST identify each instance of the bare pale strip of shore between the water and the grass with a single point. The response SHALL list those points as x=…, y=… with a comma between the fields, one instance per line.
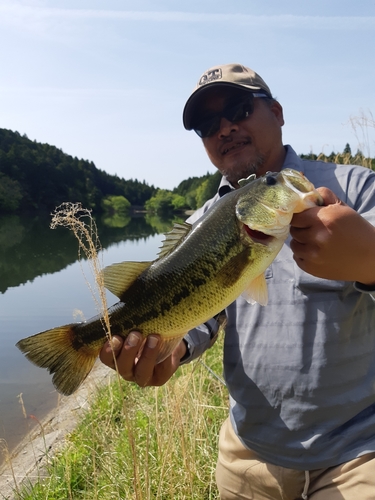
x=26, y=462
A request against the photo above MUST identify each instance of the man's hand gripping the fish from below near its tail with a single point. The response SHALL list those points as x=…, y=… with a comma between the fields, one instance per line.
x=143, y=370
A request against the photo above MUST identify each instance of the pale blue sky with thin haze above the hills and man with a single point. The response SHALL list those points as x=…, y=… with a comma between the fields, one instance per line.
x=107, y=80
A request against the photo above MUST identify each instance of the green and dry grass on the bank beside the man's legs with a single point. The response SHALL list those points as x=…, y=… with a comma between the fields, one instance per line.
x=152, y=443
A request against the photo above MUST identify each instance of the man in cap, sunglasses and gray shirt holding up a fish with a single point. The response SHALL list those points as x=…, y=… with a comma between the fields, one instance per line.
x=300, y=371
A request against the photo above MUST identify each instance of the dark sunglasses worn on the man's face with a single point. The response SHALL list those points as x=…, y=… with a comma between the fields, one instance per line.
x=234, y=113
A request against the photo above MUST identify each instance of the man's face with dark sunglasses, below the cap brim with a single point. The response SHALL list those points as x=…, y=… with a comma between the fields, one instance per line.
x=253, y=145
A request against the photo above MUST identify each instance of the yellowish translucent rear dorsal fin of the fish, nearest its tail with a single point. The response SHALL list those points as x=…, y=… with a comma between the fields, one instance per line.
x=118, y=277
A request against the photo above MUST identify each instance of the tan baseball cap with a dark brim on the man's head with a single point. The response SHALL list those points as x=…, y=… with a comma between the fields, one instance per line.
x=228, y=75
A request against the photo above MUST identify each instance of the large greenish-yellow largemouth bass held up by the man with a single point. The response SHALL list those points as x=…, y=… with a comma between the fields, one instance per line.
x=200, y=270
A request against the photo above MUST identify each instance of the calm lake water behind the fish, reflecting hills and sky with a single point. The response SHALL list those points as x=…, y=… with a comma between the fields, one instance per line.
x=42, y=285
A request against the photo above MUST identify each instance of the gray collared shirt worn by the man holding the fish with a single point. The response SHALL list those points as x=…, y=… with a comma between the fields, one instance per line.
x=301, y=371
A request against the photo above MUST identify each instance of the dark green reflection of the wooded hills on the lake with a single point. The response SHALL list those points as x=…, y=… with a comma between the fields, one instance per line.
x=29, y=248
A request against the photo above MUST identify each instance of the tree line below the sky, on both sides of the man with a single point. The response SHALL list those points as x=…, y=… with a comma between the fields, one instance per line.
x=39, y=177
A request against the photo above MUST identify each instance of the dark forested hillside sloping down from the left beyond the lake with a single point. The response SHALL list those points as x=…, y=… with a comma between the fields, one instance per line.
x=35, y=176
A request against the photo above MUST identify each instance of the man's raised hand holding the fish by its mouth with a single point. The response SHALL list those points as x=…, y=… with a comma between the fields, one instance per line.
x=334, y=242
